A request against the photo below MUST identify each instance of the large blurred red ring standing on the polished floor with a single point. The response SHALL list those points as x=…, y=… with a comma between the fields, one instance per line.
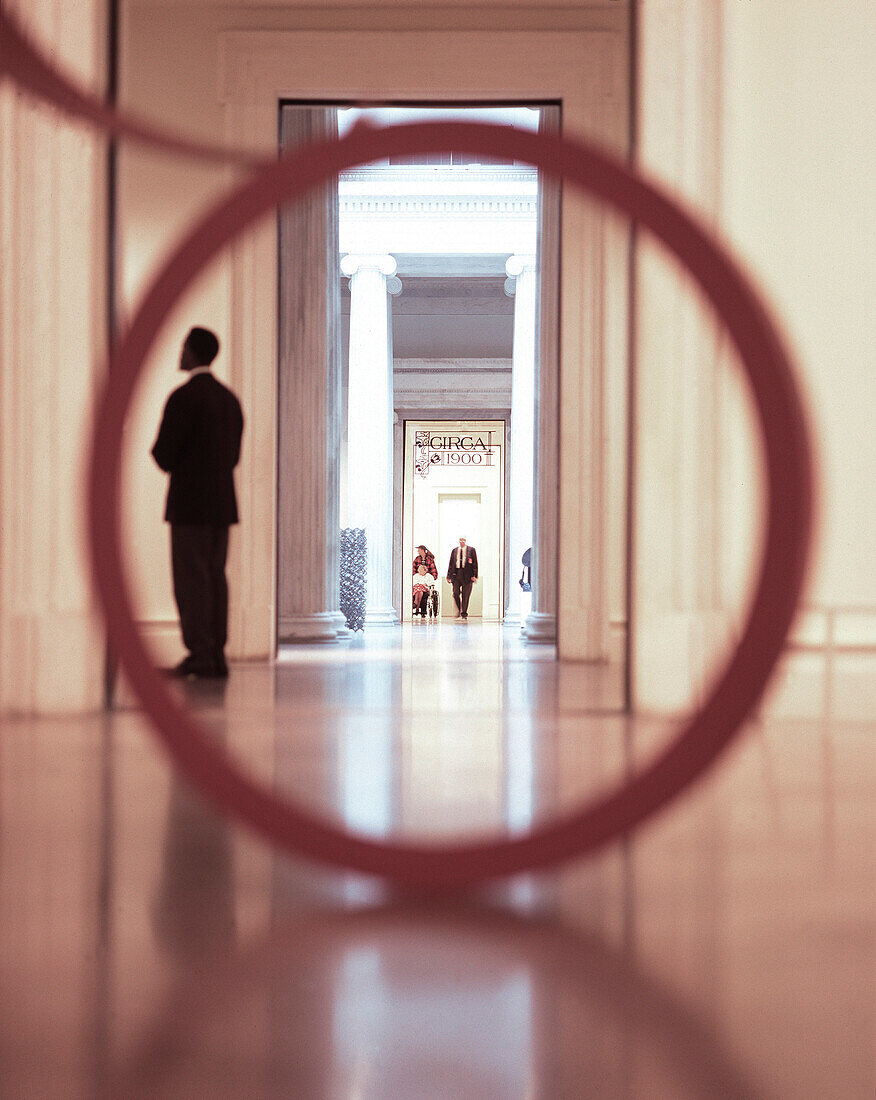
x=783, y=567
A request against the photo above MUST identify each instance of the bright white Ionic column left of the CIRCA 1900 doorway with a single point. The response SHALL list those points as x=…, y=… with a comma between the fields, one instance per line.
x=370, y=434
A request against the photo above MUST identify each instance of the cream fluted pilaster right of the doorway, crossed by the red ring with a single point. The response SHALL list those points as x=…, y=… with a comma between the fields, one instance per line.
x=677, y=623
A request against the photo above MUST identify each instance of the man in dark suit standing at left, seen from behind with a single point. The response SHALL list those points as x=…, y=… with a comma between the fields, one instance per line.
x=199, y=446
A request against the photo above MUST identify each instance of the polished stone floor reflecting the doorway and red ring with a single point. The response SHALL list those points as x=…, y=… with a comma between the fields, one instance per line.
x=154, y=949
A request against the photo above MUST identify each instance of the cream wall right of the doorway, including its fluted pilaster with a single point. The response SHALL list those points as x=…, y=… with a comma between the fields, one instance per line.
x=758, y=116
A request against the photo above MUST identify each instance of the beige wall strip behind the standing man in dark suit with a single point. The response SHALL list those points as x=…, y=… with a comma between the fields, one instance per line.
x=169, y=72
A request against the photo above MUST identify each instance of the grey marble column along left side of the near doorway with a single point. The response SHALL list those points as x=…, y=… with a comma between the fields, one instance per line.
x=309, y=521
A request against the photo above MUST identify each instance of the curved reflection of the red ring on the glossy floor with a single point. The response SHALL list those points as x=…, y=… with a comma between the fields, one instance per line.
x=456, y=1002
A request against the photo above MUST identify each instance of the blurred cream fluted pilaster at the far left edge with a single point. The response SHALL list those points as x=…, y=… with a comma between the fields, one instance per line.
x=53, y=342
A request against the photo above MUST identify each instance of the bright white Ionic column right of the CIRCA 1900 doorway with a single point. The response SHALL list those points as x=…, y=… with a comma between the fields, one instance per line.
x=522, y=283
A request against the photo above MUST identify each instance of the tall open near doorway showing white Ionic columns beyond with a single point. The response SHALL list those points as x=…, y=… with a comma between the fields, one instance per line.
x=436, y=287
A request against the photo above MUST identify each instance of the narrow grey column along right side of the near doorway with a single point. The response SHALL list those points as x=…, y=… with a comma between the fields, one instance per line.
x=542, y=622
